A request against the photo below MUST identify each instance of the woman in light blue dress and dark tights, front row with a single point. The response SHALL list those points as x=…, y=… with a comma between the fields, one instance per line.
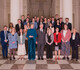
x=12, y=37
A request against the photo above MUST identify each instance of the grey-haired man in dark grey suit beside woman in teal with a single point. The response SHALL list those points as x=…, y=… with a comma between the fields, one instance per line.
x=40, y=41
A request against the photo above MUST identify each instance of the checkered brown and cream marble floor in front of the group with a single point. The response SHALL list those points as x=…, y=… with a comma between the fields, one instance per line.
x=39, y=65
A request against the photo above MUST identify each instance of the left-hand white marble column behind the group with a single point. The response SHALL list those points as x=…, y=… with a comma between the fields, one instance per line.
x=16, y=10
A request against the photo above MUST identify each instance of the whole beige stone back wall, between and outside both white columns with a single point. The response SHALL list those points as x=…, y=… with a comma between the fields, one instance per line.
x=50, y=8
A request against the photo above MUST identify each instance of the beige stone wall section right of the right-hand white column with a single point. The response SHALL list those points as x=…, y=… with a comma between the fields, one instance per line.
x=76, y=14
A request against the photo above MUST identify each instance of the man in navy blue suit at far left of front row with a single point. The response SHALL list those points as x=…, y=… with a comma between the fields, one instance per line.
x=4, y=42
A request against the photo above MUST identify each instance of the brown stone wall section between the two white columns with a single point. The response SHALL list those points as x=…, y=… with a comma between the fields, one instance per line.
x=41, y=7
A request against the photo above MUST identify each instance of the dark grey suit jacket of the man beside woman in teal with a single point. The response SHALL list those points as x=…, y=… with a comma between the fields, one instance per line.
x=41, y=36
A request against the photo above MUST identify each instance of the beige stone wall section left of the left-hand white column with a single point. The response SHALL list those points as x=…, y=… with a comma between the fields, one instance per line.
x=4, y=14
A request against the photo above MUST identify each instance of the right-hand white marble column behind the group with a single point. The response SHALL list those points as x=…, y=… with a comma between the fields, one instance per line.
x=66, y=9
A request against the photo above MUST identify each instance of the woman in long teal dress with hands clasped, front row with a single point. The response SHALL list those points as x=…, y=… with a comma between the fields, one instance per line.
x=31, y=35
